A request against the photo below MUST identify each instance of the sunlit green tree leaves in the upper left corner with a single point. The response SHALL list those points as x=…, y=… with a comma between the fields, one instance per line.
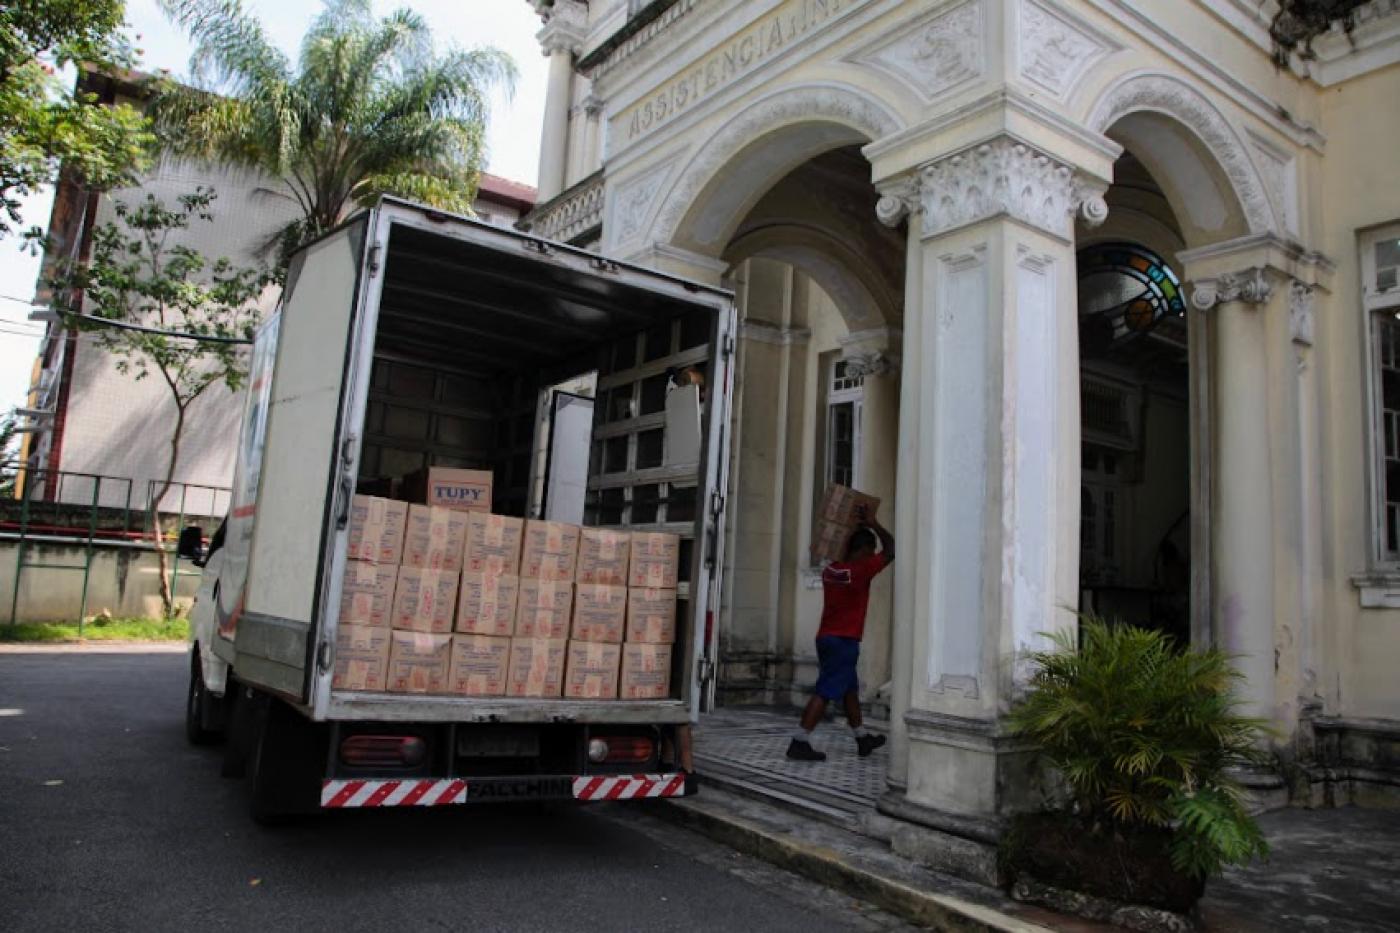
x=45, y=127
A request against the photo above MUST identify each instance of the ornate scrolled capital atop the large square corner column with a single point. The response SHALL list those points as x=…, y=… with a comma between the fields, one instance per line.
x=1002, y=176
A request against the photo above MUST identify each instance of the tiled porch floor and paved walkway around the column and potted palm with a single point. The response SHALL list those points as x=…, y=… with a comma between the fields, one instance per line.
x=1331, y=869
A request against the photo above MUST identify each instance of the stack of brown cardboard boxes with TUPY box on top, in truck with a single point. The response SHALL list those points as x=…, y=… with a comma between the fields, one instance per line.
x=451, y=599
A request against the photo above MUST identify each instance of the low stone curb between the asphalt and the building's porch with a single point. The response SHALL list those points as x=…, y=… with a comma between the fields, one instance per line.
x=832, y=868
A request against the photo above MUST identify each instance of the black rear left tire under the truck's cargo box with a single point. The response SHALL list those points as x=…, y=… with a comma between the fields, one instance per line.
x=286, y=764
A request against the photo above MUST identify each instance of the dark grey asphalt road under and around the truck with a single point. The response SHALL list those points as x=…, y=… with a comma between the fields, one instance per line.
x=110, y=822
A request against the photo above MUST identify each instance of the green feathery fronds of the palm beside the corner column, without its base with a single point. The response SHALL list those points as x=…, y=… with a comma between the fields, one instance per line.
x=1144, y=735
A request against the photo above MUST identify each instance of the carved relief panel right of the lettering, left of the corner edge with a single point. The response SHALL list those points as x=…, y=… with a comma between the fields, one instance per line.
x=937, y=54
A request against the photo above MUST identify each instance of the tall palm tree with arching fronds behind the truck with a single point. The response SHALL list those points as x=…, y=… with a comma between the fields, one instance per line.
x=370, y=110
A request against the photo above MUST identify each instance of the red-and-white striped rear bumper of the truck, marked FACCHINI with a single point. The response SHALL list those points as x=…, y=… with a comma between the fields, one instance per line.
x=440, y=792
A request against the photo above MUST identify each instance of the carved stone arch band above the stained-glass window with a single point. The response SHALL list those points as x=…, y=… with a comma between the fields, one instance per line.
x=1146, y=102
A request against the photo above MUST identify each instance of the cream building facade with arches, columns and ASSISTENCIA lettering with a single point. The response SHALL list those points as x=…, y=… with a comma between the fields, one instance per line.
x=1100, y=300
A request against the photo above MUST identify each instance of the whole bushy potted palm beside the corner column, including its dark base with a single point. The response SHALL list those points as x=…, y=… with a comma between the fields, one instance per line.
x=1144, y=738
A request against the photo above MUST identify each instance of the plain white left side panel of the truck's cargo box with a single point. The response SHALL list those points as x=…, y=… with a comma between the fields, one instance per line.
x=302, y=429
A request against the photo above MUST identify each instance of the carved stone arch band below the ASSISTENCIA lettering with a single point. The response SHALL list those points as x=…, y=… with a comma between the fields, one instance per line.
x=754, y=151
